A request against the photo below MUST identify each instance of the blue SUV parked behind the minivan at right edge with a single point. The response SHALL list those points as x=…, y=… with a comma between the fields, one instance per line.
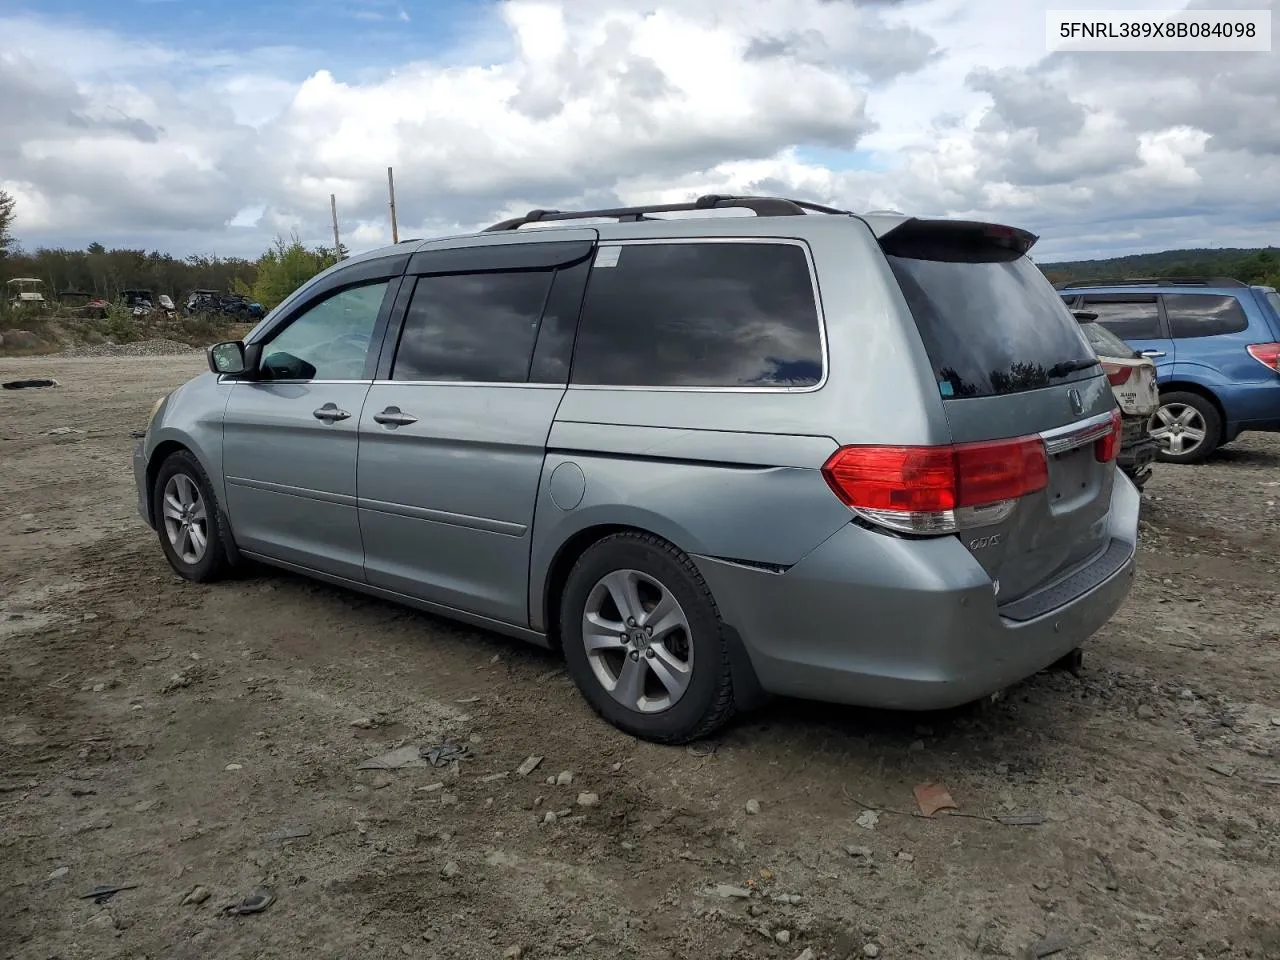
x=1217, y=345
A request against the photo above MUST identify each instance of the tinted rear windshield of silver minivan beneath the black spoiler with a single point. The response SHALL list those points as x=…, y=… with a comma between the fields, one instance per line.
x=991, y=323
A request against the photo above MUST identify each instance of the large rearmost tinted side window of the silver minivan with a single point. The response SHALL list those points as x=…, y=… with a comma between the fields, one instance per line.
x=700, y=316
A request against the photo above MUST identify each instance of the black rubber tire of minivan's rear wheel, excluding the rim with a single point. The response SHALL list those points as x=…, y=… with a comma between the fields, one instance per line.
x=707, y=703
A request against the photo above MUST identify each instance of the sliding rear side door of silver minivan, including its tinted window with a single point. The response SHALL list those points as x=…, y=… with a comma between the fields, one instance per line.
x=454, y=433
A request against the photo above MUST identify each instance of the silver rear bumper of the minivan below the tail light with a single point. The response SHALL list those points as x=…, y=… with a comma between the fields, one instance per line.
x=880, y=621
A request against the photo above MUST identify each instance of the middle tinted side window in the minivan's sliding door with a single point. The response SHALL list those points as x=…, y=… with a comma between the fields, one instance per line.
x=472, y=328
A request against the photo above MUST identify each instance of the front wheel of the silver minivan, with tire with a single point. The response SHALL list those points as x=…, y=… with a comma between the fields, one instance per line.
x=188, y=520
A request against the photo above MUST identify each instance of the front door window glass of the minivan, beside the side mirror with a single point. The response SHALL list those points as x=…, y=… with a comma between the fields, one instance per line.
x=330, y=341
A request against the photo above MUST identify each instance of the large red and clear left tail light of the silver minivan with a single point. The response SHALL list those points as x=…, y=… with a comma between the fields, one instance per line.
x=938, y=490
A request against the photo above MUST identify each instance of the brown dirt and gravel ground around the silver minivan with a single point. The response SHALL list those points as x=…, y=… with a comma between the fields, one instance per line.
x=167, y=735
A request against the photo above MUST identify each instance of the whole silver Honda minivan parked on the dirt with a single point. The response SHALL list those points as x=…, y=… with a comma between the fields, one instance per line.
x=710, y=458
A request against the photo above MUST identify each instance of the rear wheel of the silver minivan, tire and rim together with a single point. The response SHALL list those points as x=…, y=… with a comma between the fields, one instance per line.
x=644, y=642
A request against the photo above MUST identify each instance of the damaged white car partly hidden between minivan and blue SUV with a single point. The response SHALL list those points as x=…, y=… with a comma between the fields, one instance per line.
x=1133, y=382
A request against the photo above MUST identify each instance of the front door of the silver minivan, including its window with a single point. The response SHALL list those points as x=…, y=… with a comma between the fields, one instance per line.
x=291, y=436
